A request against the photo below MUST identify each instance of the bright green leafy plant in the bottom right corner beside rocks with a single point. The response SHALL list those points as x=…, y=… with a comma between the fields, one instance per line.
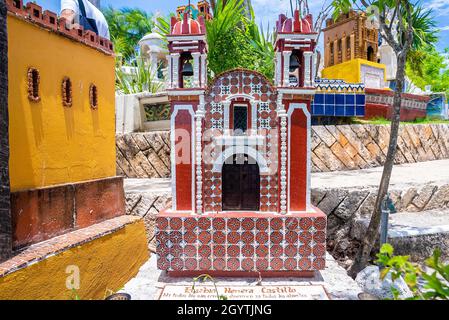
x=433, y=285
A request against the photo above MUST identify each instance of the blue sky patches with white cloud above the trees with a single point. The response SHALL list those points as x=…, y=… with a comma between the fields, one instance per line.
x=266, y=10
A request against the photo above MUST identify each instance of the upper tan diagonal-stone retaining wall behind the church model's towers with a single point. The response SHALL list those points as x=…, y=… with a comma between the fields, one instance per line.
x=334, y=148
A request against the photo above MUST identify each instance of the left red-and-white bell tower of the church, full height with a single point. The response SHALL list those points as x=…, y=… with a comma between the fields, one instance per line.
x=186, y=85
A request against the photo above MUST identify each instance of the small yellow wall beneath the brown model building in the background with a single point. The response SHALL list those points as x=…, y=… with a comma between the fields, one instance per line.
x=350, y=71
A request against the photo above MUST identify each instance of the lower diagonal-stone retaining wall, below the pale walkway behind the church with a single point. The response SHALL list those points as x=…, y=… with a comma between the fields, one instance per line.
x=343, y=206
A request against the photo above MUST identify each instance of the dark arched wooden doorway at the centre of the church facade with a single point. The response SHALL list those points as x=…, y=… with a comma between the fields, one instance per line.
x=241, y=184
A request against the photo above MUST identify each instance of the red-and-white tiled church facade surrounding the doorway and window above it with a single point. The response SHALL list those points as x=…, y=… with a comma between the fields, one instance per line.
x=263, y=94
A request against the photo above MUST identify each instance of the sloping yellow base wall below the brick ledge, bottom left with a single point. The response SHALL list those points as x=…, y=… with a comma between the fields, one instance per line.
x=105, y=264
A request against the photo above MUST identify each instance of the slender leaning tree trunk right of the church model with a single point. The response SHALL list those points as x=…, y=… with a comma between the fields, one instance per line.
x=372, y=233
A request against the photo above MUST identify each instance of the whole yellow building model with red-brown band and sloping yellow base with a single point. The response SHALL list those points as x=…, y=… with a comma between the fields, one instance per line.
x=67, y=205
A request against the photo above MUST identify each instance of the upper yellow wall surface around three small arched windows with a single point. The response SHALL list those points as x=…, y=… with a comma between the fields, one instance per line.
x=51, y=144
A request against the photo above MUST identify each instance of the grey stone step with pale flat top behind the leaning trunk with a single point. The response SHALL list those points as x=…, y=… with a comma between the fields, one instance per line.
x=416, y=234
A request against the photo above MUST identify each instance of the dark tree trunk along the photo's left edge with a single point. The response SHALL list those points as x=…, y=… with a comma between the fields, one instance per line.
x=5, y=212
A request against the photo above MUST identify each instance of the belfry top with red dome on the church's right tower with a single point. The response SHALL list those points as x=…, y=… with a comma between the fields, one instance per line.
x=295, y=46
